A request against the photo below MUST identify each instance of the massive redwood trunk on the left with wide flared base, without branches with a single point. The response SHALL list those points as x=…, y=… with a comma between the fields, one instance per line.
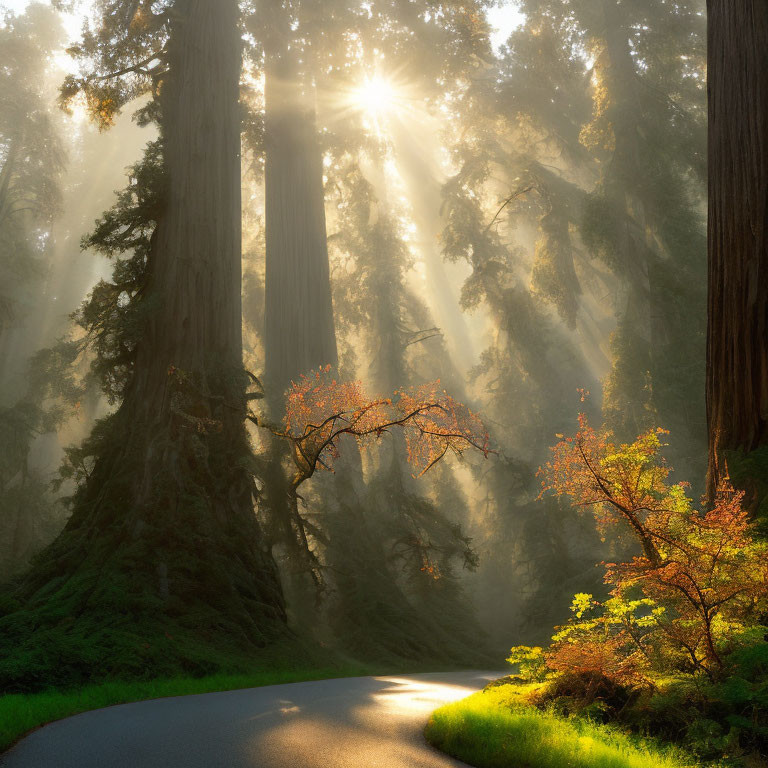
x=163, y=534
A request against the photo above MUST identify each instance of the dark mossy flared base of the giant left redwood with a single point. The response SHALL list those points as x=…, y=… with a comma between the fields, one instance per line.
x=180, y=585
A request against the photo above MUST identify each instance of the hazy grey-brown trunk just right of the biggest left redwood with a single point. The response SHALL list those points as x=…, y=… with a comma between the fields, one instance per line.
x=299, y=333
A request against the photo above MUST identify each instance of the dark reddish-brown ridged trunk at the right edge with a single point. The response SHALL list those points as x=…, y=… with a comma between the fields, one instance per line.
x=737, y=348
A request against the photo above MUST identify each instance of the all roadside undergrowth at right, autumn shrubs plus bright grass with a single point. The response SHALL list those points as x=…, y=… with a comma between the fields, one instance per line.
x=677, y=651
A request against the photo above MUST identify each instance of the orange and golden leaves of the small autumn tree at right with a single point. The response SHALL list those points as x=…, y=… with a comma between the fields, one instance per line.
x=704, y=572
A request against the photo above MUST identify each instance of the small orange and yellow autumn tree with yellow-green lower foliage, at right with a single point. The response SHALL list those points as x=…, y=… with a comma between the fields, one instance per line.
x=700, y=581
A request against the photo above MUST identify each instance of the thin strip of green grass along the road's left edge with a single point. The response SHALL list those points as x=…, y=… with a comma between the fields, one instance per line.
x=22, y=713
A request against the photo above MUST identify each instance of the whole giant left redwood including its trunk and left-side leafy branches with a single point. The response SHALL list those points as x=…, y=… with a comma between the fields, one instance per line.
x=162, y=560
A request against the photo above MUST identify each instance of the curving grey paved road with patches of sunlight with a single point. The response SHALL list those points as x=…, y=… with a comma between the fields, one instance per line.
x=347, y=723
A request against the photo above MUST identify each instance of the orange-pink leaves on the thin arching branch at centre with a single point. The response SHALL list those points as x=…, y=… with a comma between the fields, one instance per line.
x=320, y=409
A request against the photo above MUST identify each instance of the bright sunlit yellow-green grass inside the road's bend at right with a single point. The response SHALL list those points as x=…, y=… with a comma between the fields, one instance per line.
x=496, y=729
